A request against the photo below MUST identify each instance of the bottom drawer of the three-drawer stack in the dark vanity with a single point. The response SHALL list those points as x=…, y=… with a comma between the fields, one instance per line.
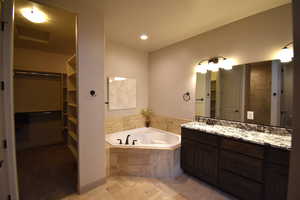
x=240, y=187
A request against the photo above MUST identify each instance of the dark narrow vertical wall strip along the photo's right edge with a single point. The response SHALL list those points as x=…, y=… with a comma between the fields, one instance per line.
x=294, y=176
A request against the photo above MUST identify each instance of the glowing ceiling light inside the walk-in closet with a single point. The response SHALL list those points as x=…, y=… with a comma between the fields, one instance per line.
x=34, y=15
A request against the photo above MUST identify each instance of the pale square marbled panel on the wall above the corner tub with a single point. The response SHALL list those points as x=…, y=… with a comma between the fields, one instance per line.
x=121, y=93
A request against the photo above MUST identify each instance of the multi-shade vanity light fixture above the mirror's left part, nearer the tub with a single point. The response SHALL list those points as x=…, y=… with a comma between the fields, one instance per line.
x=214, y=64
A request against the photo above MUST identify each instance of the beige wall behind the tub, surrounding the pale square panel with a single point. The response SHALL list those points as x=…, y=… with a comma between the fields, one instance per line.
x=126, y=62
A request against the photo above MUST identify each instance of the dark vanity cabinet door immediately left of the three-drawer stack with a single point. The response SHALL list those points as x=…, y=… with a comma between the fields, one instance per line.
x=206, y=163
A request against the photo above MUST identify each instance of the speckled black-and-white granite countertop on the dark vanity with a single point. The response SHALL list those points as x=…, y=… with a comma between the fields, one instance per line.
x=278, y=141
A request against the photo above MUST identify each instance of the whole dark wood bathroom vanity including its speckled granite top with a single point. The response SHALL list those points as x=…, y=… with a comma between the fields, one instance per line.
x=247, y=164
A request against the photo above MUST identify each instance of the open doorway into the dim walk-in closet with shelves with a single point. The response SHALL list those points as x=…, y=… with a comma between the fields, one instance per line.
x=45, y=101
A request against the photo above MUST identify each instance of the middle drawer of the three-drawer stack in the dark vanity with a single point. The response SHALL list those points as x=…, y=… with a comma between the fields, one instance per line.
x=243, y=165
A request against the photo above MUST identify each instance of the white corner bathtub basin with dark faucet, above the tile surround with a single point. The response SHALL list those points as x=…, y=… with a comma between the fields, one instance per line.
x=145, y=137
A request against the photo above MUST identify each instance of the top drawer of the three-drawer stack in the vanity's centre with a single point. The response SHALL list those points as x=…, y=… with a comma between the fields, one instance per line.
x=253, y=150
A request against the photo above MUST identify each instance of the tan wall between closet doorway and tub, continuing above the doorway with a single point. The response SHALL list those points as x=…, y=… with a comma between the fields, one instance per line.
x=91, y=46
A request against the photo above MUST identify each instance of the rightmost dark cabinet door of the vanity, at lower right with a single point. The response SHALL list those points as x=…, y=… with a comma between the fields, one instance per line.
x=276, y=182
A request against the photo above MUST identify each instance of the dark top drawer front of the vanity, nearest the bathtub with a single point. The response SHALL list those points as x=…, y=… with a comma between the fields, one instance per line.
x=199, y=136
